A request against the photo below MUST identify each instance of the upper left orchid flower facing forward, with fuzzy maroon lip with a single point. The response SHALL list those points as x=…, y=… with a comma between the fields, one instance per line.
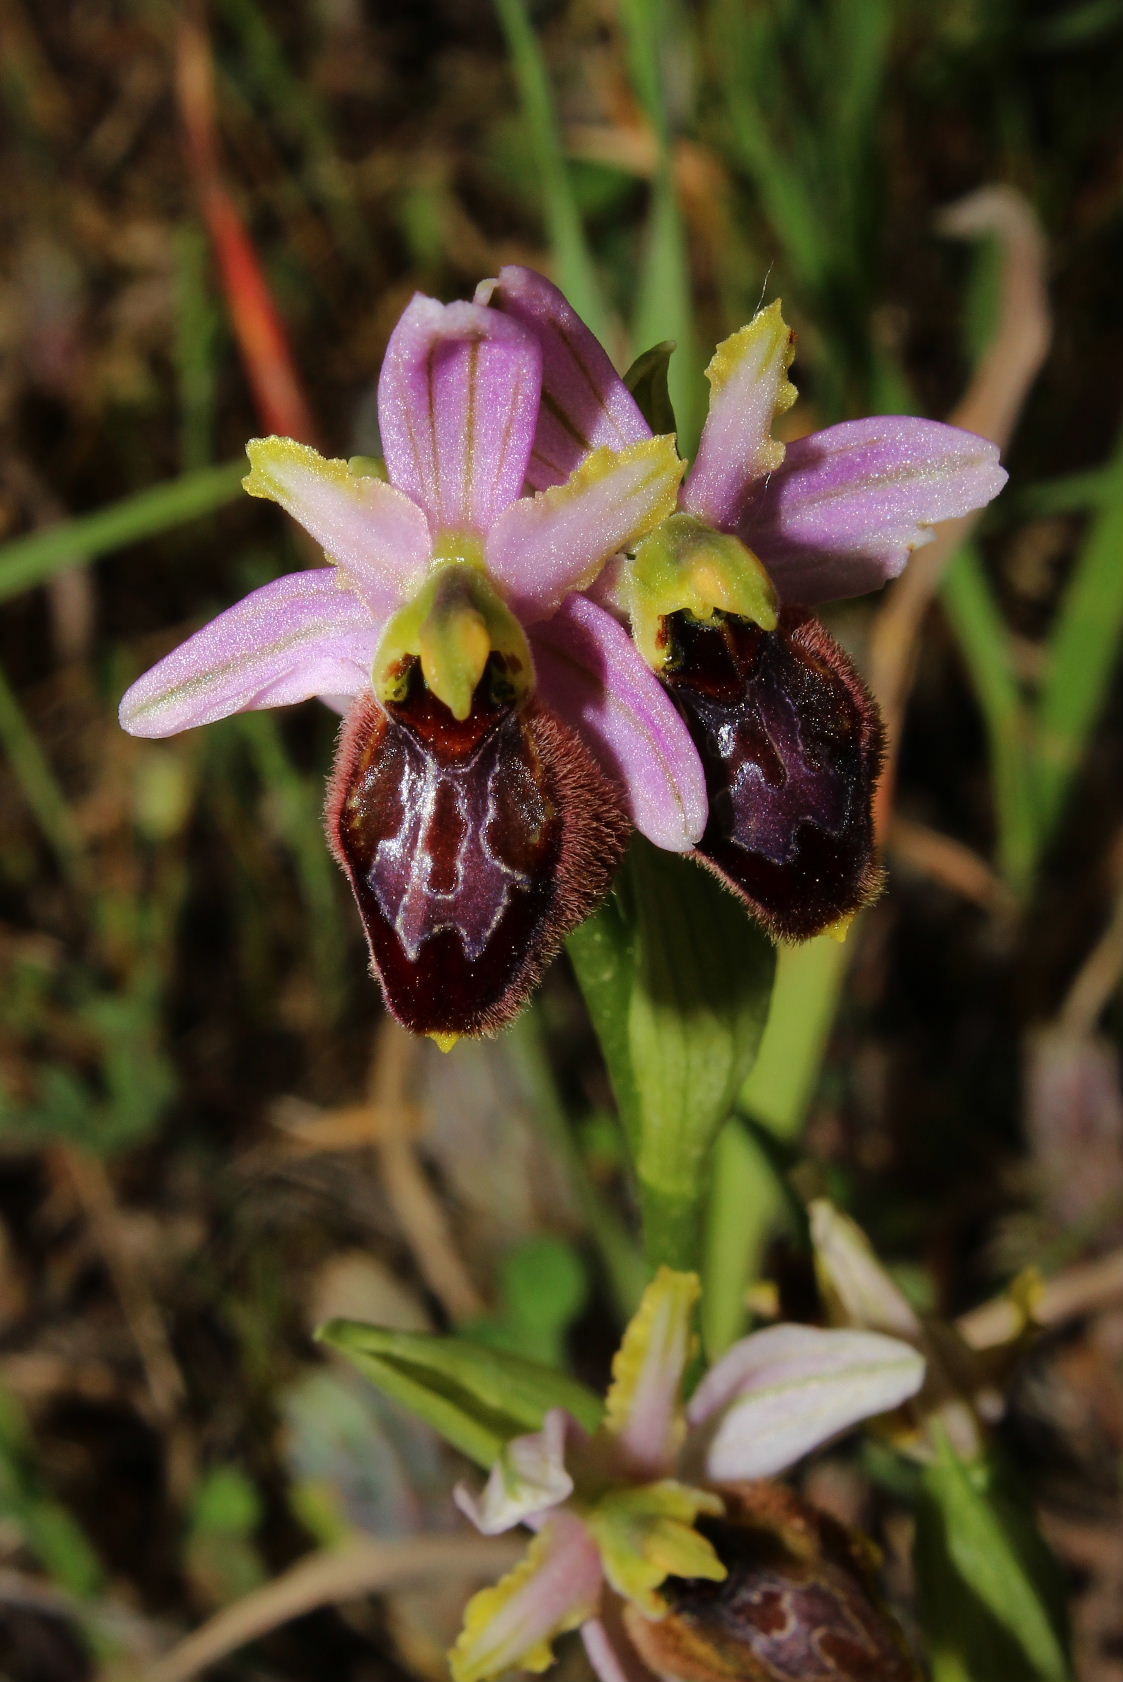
x=502, y=731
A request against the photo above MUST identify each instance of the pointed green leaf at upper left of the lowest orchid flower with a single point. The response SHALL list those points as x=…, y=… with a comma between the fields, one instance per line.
x=475, y=1397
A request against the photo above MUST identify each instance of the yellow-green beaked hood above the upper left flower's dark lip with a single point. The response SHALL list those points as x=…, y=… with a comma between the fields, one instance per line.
x=453, y=627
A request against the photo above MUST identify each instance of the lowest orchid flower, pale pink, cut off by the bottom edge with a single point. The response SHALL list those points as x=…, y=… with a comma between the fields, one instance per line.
x=655, y=1535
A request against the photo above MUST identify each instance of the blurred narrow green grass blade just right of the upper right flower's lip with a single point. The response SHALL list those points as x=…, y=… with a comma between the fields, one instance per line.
x=986, y=648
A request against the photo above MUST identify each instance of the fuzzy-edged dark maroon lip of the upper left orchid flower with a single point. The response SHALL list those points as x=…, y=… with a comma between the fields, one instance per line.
x=473, y=849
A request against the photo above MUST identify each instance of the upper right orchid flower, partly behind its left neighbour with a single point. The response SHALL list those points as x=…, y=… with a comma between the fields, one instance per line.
x=719, y=596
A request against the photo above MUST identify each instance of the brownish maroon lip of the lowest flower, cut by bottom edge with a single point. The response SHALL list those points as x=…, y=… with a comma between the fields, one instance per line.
x=799, y=1602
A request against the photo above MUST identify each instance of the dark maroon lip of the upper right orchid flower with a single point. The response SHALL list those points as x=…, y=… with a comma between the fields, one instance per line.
x=793, y=744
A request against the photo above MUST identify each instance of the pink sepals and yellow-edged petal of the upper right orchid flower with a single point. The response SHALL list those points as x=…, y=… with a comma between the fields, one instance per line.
x=830, y=516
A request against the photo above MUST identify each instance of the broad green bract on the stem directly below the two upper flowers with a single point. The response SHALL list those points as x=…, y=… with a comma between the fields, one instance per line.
x=697, y=1013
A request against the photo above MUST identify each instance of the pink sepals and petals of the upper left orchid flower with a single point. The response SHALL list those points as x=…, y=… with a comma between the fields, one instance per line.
x=458, y=406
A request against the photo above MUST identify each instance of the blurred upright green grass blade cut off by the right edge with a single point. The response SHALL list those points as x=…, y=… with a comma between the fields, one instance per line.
x=1082, y=655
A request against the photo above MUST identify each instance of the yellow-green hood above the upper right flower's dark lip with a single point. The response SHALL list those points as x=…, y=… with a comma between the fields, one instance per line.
x=685, y=566
